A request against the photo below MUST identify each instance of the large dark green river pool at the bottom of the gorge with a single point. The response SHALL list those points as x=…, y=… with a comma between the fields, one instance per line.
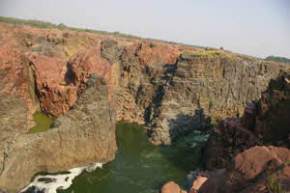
x=140, y=167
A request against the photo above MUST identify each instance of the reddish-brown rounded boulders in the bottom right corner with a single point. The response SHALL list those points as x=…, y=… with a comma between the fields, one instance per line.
x=259, y=169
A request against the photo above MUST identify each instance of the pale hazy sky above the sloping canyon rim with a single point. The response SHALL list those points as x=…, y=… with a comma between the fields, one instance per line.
x=254, y=27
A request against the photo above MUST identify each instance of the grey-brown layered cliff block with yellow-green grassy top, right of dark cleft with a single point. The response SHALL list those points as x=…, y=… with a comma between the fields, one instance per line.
x=208, y=83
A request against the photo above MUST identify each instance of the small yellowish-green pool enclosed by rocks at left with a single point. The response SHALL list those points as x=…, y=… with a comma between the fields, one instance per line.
x=42, y=122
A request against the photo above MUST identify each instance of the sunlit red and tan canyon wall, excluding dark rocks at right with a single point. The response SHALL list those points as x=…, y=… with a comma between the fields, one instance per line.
x=170, y=88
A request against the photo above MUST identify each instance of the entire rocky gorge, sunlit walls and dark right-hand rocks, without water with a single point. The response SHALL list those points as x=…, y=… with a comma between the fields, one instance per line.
x=88, y=81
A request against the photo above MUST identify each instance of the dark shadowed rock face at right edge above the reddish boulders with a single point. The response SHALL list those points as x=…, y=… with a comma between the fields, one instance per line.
x=273, y=117
